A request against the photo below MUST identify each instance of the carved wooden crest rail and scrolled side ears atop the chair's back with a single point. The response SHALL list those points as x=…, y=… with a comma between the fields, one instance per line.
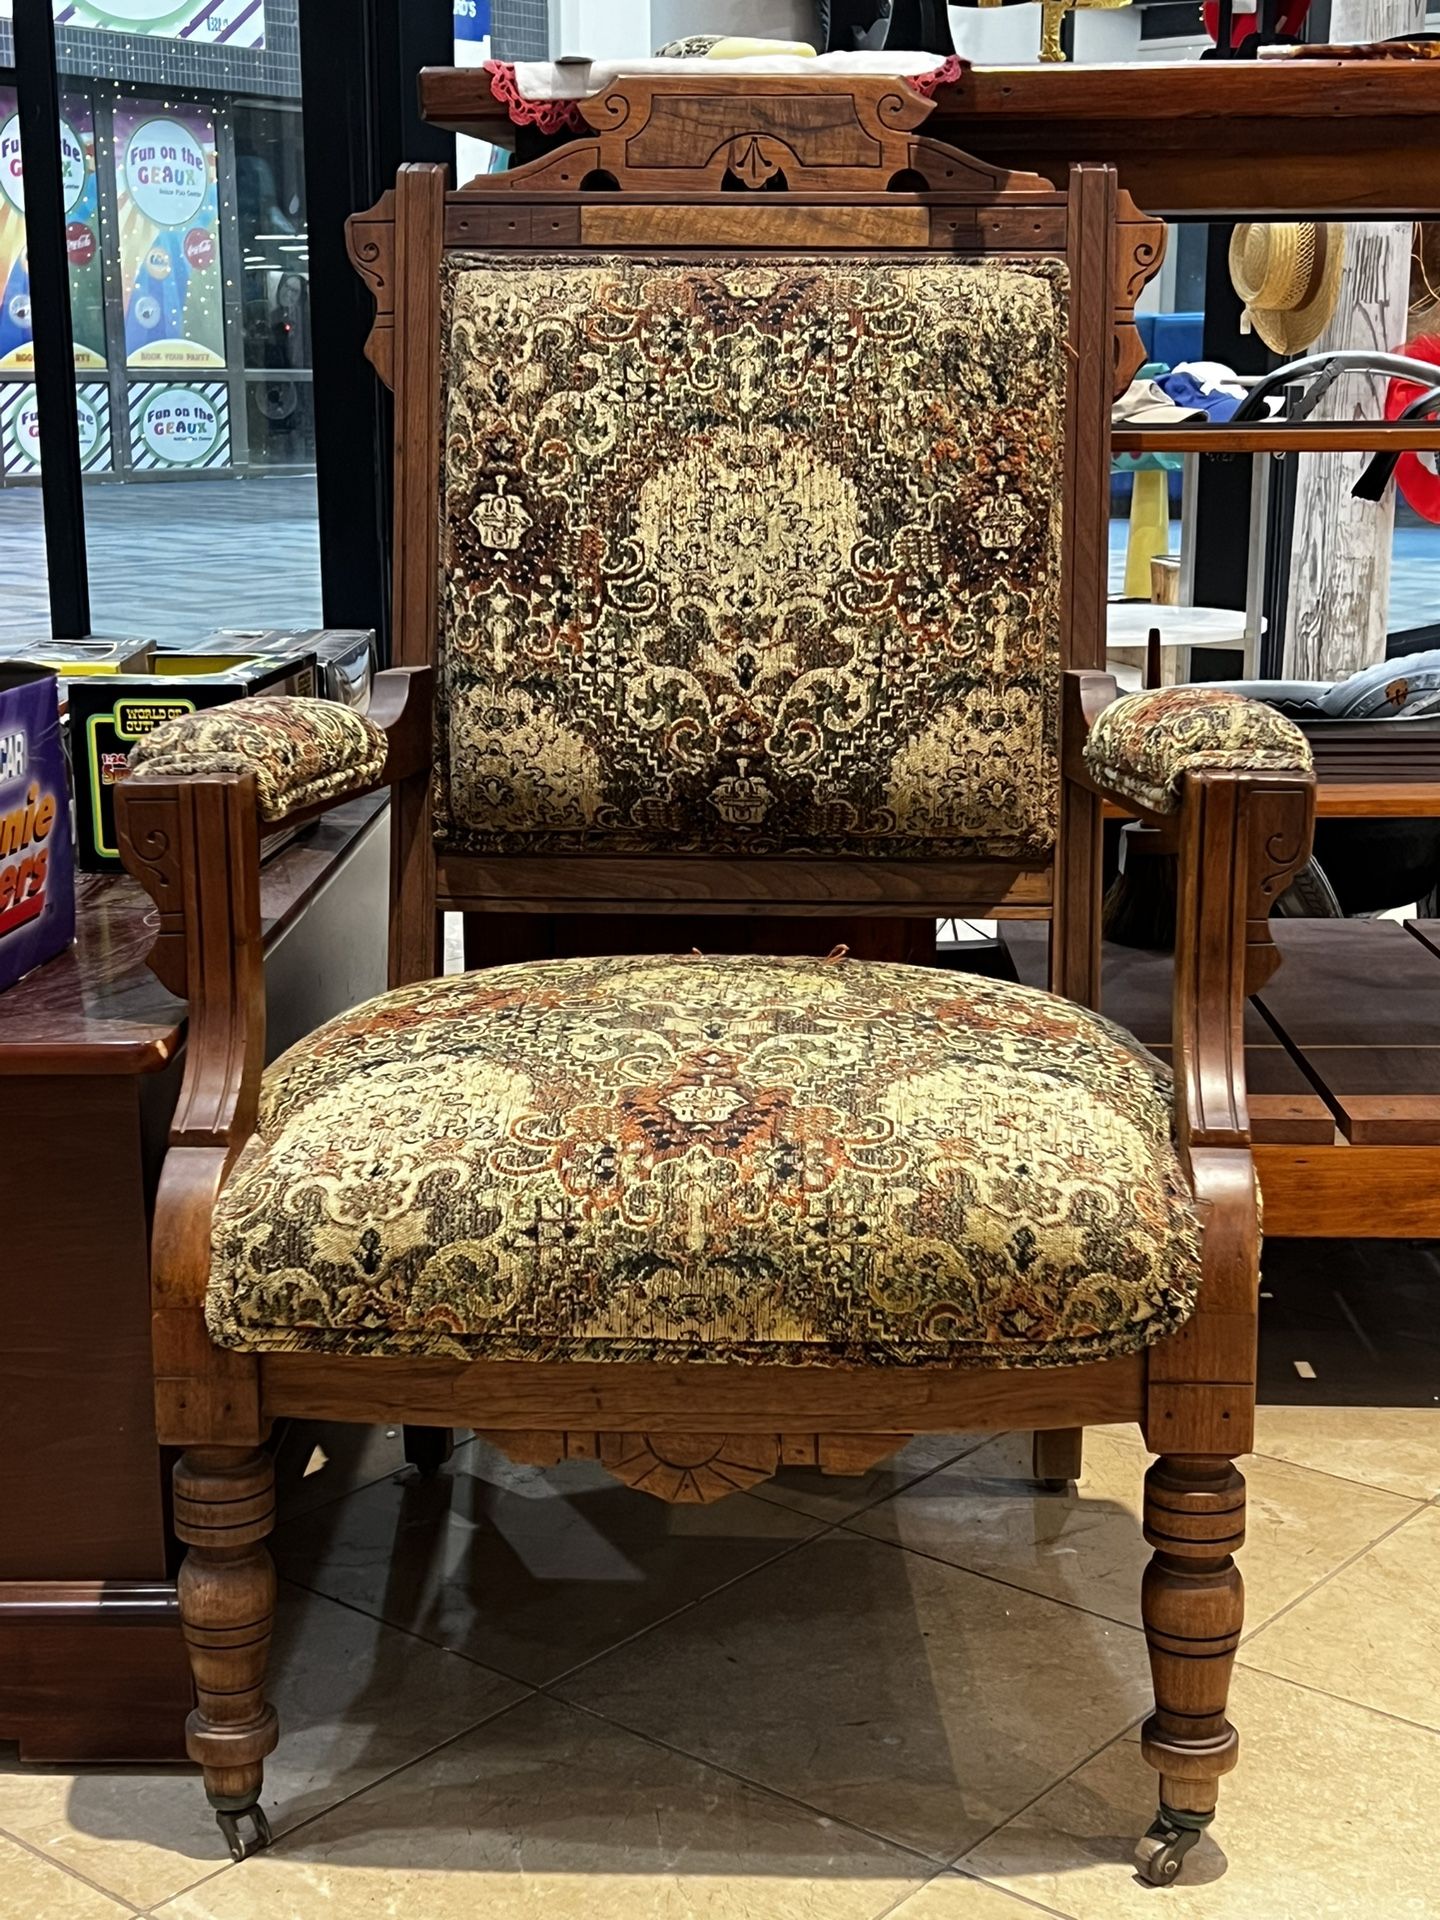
x=786, y=160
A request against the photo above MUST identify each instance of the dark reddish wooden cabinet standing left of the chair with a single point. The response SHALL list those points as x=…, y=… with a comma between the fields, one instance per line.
x=91, y=1658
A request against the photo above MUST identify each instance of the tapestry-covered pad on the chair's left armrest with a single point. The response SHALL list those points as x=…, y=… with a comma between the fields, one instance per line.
x=300, y=752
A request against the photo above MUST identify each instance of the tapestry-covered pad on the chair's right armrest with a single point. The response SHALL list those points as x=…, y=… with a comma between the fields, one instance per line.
x=1145, y=744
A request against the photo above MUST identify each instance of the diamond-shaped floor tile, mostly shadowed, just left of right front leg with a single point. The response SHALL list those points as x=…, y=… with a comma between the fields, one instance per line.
x=880, y=1687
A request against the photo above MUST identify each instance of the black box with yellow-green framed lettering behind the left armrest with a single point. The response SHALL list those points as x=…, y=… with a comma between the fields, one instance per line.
x=110, y=713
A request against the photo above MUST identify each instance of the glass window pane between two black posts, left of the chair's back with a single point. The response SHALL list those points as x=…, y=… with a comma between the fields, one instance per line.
x=203, y=306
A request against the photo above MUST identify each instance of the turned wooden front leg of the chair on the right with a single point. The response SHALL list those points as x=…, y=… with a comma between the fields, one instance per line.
x=1193, y=1606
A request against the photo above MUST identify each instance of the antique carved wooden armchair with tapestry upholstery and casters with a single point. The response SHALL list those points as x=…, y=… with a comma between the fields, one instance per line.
x=752, y=492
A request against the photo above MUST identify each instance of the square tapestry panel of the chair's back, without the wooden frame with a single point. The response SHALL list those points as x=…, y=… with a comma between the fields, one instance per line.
x=752, y=558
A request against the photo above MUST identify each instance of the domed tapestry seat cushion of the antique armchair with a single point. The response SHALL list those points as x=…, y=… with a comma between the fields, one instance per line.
x=709, y=1159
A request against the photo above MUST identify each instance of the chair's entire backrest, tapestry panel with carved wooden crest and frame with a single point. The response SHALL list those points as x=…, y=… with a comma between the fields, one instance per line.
x=757, y=425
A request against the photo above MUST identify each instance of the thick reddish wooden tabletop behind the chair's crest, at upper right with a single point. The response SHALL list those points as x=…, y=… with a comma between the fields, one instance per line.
x=1201, y=139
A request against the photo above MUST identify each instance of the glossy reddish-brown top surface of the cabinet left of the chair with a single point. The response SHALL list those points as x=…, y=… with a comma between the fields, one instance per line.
x=99, y=1009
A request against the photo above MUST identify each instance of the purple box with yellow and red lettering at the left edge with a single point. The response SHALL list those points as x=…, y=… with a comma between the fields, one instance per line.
x=37, y=867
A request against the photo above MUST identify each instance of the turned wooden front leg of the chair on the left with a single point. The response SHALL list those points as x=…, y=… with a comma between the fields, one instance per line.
x=224, y=1512
